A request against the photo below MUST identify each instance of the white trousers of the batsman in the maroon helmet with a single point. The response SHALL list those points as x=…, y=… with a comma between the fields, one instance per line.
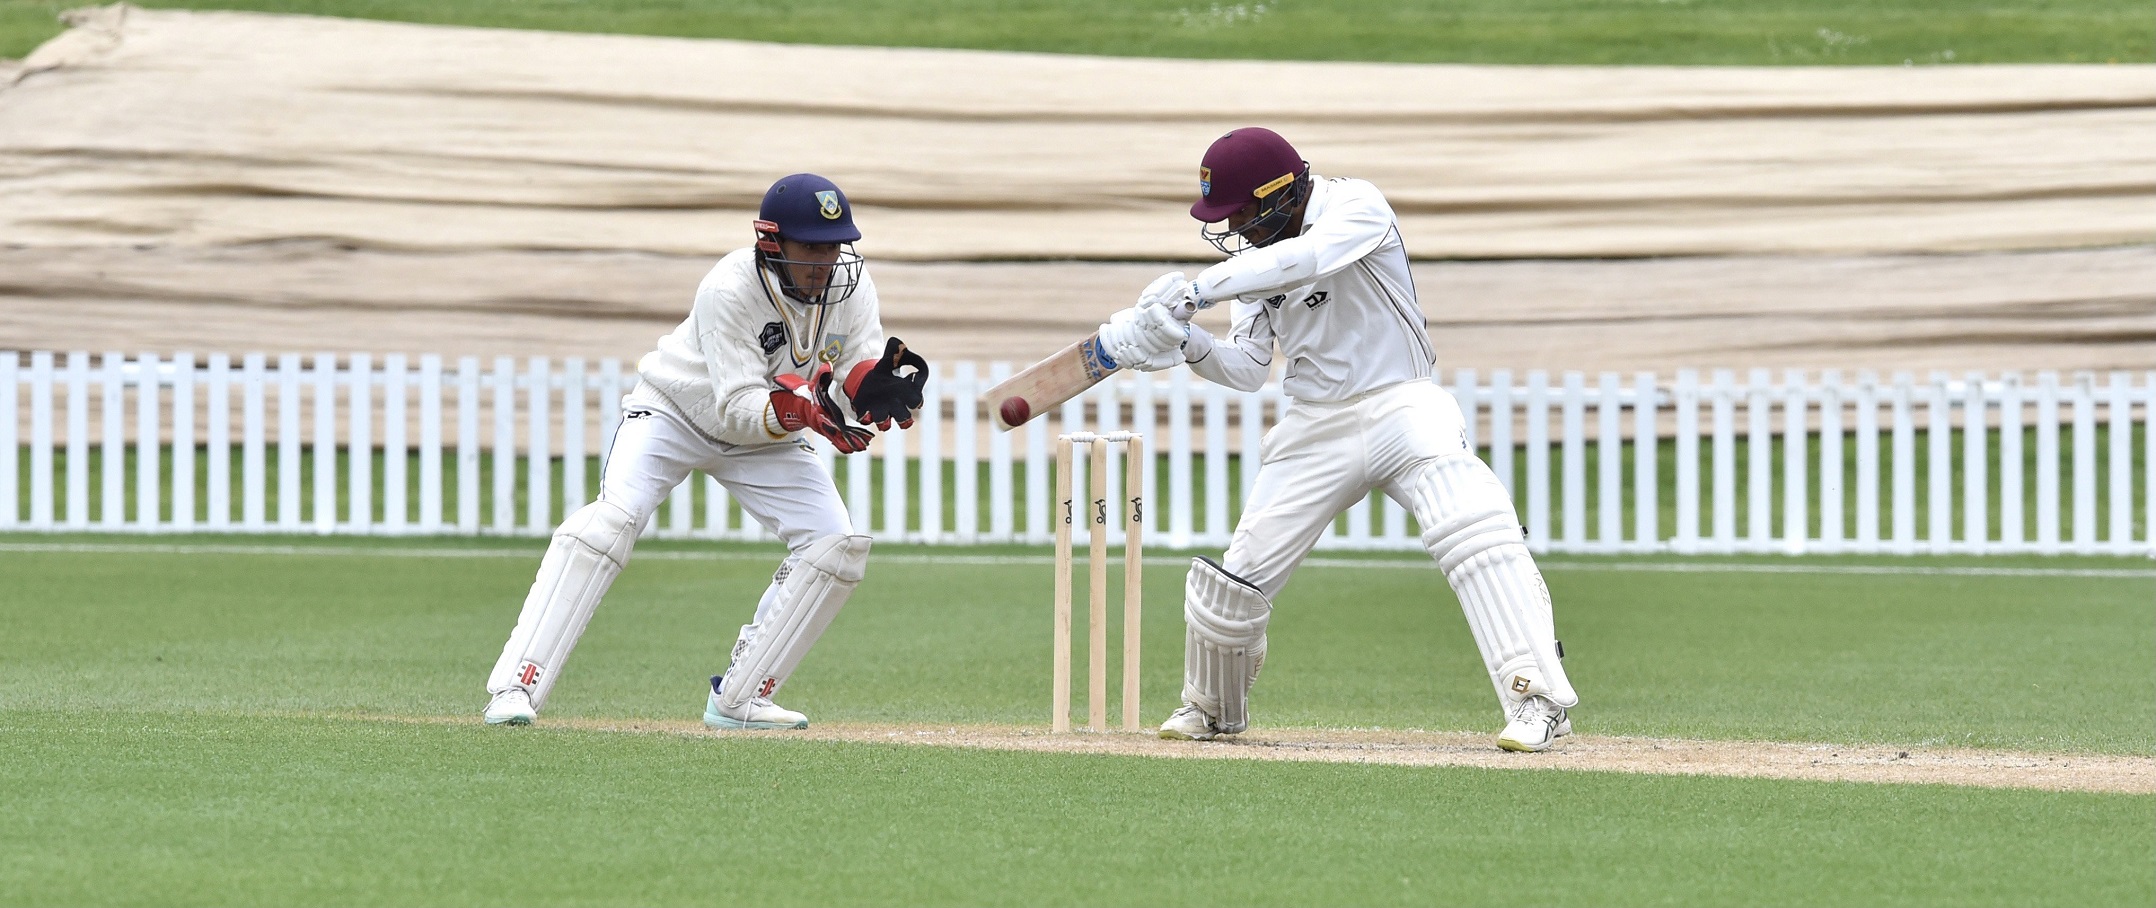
x=1329, y=456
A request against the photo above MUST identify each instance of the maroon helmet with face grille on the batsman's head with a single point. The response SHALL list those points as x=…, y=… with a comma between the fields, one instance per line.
x=1249, y=165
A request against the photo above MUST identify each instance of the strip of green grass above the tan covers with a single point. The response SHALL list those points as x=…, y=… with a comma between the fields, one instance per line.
x=1452, y=31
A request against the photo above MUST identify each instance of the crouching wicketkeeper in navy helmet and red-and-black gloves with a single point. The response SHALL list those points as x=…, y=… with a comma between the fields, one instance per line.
x=730, y=394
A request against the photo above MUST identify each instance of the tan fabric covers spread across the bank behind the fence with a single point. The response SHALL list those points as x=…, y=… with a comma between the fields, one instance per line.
x=258, y=182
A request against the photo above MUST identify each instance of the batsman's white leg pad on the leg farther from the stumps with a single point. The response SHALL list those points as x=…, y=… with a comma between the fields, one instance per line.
x=1478, y=542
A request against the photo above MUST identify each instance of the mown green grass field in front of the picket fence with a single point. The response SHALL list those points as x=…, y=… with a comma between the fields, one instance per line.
x=232, y=721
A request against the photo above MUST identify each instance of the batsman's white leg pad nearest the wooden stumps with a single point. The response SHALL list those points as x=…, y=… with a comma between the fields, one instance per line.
x=1224, y=644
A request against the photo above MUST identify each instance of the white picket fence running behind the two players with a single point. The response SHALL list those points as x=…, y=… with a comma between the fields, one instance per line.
x=1791, y=463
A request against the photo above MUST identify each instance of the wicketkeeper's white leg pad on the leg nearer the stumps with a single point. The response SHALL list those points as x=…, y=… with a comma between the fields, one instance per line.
x=810, y=596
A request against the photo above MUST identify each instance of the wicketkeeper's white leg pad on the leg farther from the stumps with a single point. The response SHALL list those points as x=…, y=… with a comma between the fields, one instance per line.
x=585, y=558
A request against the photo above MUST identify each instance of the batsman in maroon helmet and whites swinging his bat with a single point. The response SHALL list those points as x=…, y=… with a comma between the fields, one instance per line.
x=1318, y=273
